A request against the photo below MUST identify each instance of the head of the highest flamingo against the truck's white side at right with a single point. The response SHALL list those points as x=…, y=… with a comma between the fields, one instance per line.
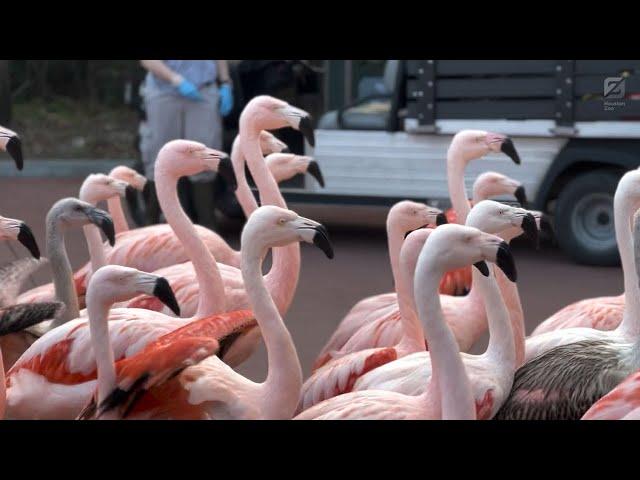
x=472, y=144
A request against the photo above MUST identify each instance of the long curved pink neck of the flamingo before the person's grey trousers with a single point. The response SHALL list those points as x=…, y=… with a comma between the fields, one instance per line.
x=212, y=296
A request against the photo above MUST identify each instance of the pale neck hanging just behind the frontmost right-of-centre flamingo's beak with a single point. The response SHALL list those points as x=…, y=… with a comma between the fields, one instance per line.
x=501, y=342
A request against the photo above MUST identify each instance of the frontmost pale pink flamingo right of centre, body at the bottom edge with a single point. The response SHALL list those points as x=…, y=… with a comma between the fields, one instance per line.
x=448, y=394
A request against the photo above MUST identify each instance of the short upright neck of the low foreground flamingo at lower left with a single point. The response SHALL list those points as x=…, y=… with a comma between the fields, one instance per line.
x=98, y=311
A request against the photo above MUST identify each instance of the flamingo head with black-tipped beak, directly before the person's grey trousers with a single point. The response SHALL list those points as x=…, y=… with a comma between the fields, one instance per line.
x=180, y=158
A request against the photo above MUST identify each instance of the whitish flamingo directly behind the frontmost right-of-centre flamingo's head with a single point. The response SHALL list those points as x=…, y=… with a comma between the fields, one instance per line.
x=492, y=372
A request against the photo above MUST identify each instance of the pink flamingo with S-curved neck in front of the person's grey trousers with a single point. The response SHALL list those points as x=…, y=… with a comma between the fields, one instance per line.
x=62, y=360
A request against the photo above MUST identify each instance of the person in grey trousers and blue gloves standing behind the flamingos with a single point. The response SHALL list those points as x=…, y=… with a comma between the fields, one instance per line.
x=185, y=99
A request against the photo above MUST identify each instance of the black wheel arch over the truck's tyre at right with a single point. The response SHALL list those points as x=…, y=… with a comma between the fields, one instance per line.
x=582, y=155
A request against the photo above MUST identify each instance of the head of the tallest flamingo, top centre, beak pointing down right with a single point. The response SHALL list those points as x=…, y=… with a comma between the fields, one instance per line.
x=268, y=113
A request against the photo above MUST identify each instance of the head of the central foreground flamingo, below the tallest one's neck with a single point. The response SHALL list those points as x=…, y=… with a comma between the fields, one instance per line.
x=271, y=226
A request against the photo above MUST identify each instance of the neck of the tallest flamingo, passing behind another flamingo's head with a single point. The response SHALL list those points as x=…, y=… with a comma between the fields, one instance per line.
x=282, y=279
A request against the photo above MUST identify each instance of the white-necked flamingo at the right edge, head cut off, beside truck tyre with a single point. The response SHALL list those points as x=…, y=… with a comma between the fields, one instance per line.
x=603, y=312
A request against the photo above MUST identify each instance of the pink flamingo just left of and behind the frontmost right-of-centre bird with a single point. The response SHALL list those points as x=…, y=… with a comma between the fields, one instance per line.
x=402, y=218
